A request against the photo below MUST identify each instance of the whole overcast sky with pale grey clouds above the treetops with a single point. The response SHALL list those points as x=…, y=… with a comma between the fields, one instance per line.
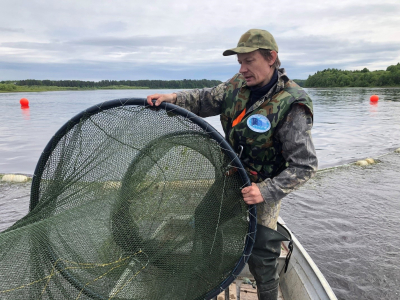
x=176, y=39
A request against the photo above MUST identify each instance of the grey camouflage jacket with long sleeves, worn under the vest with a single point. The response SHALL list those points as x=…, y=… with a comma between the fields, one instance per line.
x=294, y=134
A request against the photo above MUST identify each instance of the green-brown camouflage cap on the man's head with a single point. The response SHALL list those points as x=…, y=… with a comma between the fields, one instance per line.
x=252, y=40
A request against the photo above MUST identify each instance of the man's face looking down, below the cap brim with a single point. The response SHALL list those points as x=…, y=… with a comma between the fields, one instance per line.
x=255, y=68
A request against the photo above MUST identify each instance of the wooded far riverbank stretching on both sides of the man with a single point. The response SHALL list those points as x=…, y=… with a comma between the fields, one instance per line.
x=325, y=78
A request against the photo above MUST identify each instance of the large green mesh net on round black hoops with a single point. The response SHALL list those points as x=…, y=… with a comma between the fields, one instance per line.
x=130, y=202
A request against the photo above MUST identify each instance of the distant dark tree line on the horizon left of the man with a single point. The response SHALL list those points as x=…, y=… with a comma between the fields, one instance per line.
x=151, y=84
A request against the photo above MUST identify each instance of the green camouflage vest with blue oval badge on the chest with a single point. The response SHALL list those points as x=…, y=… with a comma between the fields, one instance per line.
x=262, y=152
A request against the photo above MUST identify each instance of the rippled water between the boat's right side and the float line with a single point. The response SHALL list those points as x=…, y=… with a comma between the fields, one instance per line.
x=350, y=227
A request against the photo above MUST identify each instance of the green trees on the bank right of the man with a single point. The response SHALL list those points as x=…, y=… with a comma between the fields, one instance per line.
x=363, y=78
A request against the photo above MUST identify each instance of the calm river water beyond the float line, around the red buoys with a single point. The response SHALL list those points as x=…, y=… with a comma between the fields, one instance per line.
x=346, y=126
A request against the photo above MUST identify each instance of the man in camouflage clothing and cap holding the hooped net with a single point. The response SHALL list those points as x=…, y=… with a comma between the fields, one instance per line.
x=268, y=118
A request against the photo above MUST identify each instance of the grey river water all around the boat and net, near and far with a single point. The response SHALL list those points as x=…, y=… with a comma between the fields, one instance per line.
x=347, y=127
